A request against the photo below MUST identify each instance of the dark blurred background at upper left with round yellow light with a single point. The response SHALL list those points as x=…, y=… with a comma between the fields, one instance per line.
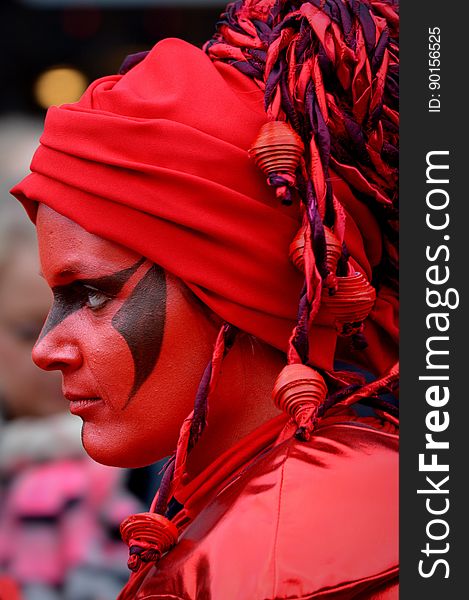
x=51, y=48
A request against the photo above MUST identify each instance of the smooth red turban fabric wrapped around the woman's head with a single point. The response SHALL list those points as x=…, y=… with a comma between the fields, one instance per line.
x=156, y=160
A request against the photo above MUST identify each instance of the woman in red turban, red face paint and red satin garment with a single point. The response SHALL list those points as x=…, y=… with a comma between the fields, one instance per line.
x=177, y=271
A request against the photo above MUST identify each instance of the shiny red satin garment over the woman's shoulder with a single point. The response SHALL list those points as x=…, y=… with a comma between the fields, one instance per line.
x=303, y=520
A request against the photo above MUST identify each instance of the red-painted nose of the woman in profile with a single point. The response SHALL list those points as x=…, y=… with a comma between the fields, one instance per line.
x=53, y=352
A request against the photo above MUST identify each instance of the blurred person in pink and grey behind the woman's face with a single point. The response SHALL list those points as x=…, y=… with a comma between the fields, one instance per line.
x=59, y=510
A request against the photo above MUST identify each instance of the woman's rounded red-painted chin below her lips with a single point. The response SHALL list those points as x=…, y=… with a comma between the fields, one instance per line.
x=119, y=450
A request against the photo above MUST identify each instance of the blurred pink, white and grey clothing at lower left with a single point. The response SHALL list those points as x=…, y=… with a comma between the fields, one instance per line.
x=60, y=514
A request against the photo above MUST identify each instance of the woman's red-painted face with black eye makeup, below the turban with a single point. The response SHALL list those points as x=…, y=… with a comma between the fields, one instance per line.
x=130, y=340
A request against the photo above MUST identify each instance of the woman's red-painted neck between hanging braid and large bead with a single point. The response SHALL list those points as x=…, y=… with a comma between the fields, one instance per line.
x=241, y=402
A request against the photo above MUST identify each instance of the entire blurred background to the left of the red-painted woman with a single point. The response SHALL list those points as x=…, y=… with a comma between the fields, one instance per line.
x=59, y=511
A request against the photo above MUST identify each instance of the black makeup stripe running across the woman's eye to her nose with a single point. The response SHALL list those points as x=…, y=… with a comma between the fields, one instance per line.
x=73, y=296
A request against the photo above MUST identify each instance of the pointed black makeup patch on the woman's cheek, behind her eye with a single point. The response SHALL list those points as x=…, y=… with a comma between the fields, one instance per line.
x=140, y=321
